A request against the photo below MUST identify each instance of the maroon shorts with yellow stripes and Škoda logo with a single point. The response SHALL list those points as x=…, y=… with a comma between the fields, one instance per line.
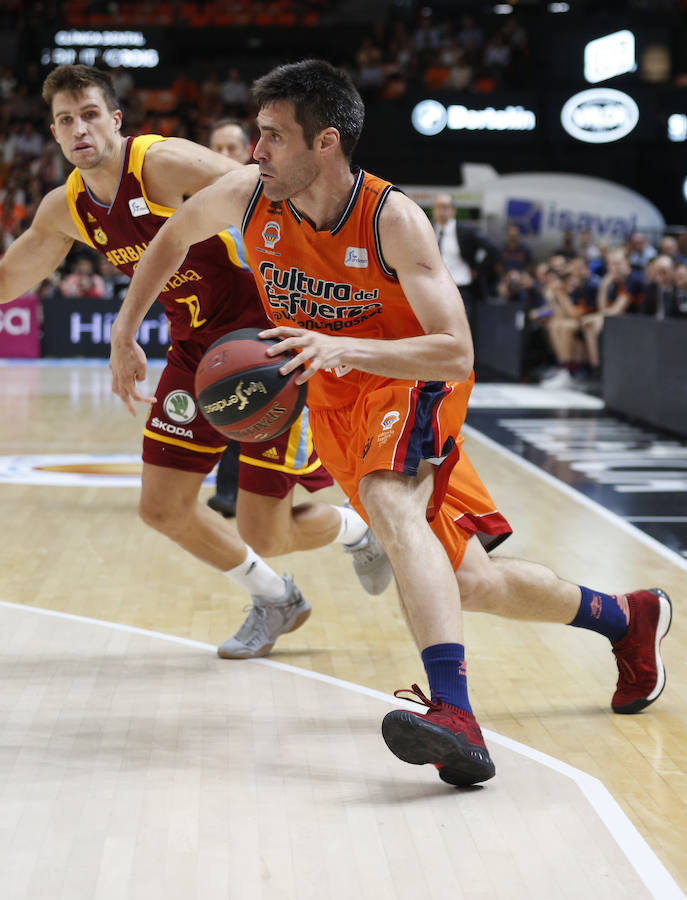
x=177, y=436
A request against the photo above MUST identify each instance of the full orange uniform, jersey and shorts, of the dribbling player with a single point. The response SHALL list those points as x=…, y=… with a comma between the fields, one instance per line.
x=337, y=281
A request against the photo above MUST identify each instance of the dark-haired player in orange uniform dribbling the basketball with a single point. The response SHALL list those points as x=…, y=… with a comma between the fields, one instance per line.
x=350, y=272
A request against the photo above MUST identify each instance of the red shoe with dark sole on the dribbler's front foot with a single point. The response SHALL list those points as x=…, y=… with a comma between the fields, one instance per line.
x=445, y=736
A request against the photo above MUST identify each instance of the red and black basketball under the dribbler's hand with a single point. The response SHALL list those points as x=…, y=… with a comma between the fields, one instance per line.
x=241, y=392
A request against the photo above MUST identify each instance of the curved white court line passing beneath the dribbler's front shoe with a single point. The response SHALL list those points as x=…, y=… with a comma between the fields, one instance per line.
x=658, y=881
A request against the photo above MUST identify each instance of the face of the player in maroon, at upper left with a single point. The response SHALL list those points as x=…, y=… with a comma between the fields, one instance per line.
x=84, y=127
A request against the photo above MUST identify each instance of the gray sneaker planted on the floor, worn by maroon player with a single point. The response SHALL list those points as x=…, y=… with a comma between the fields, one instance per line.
x=266, y=620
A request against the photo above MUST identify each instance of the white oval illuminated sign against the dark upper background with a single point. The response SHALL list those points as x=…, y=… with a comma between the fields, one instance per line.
x=599, y=115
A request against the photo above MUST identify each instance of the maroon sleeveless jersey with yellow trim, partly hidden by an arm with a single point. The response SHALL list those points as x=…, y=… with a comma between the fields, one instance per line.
x=213, y=290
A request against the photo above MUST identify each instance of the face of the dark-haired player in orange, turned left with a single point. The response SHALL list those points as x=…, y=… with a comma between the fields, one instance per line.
x=287, y=165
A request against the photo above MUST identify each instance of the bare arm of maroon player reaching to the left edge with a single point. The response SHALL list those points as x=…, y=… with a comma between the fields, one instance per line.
x=40, y=249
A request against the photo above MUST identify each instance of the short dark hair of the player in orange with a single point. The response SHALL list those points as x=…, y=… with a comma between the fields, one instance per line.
x=322, y=96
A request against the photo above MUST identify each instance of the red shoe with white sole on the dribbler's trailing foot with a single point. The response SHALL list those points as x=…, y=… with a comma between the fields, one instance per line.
x=641, y=675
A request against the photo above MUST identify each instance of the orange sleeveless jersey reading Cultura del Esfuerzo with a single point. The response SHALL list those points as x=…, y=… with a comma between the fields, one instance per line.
x=333, y=281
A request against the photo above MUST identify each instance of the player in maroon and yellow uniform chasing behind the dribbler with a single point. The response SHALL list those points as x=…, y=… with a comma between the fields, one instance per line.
x=120, y=193
